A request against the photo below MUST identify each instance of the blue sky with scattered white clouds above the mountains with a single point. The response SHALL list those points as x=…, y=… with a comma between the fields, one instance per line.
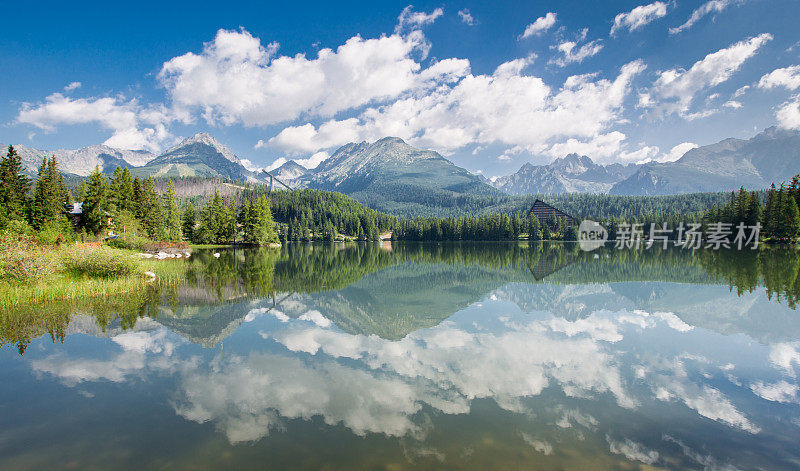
x=491, y=86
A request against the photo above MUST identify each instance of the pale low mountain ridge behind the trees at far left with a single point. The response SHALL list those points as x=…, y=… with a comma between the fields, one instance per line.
x=82, y=161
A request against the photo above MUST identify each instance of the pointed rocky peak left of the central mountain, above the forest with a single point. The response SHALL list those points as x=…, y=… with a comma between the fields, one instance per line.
x=198, y=156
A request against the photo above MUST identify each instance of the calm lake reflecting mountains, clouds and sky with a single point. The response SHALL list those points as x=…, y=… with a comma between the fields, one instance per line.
x=426, y=356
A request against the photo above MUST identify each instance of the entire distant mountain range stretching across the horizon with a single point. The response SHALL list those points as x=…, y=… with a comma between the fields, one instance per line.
x=391, y=175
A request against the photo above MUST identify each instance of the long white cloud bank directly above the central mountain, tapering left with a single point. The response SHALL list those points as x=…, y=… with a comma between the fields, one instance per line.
x=506, y=107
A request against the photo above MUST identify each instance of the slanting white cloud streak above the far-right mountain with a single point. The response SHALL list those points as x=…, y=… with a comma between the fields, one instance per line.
x=675, y=89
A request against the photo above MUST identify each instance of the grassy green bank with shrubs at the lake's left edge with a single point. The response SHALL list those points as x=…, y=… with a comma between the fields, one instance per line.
x=31, y=274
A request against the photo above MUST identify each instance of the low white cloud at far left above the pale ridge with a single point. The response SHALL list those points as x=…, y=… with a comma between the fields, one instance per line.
x=133, y=126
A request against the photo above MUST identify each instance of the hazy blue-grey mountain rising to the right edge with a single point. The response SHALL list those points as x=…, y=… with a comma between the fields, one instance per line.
x=771, y=156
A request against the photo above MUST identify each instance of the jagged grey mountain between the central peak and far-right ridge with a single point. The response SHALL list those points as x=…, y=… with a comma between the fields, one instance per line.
x=569, y=174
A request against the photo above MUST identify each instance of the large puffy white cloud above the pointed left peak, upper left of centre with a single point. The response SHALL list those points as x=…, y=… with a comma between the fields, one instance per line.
x=236, y=79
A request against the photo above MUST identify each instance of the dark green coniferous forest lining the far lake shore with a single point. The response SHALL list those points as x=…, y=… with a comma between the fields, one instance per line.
x=138, y=210
